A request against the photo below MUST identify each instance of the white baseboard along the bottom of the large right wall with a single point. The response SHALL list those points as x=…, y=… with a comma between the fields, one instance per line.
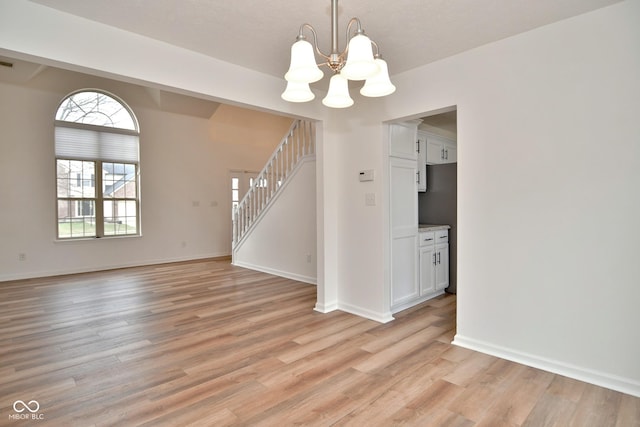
x=602, y=379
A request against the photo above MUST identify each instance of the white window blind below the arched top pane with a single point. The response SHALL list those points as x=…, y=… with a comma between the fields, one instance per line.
x=90, y=144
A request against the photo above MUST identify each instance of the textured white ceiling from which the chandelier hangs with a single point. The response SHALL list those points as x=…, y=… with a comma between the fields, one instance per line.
x=258, y=34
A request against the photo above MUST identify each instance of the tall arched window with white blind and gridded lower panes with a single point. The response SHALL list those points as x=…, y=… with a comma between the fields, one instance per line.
x=97, y=166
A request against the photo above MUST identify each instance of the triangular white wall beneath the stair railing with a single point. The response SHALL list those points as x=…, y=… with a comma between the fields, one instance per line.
x=283, y=241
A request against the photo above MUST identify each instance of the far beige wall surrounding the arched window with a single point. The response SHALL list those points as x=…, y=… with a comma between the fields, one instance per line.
x=185, y=162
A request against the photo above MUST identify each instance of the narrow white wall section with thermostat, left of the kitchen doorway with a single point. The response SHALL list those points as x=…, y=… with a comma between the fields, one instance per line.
x=360, y=143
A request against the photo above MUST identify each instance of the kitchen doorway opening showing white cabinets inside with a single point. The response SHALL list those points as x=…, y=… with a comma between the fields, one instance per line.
x=422, y=207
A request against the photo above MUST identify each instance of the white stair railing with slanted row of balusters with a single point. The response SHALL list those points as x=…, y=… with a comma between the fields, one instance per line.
x=298, y=144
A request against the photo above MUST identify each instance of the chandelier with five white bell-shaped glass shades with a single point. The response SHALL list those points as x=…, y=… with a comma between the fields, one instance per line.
x=356, y=62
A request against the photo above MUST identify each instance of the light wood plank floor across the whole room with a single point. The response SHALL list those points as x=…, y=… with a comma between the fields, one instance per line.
x=204, y=343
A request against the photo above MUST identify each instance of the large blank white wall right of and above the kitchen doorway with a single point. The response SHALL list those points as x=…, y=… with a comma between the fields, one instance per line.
x=548, y=200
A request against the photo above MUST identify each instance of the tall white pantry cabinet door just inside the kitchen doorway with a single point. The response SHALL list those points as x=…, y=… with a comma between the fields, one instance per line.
x=403, y=216
